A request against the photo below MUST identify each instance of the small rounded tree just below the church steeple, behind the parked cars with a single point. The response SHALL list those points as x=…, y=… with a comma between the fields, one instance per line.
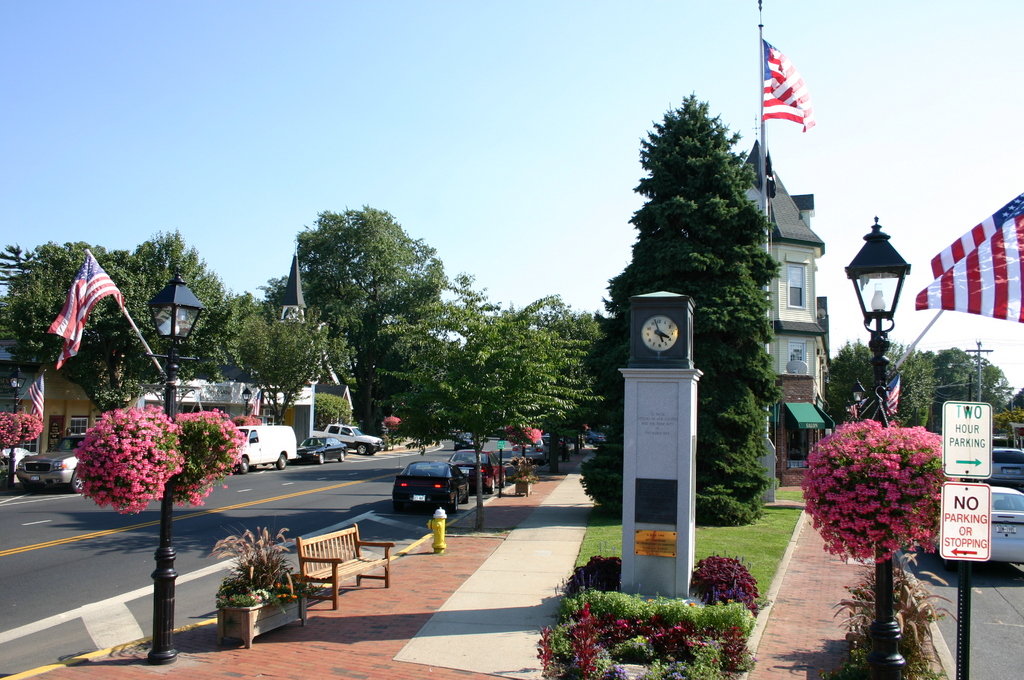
x=282, y=358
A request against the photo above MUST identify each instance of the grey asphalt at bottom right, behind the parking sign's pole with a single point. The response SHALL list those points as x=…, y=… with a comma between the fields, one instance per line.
x=997, y=615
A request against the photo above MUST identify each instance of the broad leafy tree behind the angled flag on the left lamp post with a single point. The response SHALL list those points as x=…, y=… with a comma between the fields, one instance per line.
x=112, y=366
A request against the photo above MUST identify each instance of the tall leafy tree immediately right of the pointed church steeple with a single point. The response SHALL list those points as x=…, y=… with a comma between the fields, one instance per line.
x=368, y=277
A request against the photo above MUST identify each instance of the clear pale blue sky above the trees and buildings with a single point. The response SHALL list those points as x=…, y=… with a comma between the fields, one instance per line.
x=504, y=135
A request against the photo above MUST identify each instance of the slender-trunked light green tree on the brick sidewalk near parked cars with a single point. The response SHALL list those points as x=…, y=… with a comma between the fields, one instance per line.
x=484, y=368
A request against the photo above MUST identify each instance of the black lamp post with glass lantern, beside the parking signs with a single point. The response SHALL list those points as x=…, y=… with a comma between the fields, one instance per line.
x=879, y=266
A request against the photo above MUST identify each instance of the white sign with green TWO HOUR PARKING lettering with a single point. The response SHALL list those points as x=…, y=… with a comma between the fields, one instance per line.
x=967, y=440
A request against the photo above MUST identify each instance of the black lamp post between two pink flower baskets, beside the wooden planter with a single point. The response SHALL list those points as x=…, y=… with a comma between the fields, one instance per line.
x=175, y=312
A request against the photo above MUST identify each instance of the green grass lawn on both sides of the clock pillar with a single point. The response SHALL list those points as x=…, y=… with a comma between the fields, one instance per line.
x=759, y=546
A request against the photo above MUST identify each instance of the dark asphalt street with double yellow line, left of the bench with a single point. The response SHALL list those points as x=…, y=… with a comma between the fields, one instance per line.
x=76, y=578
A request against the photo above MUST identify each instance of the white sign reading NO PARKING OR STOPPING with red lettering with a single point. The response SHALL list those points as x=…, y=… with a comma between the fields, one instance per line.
x=966, y=530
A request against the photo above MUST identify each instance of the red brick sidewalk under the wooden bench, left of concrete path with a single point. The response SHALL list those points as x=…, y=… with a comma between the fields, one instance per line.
x=358, y=642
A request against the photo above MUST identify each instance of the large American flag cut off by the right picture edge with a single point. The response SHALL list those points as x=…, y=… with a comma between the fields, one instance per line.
x=980, y=273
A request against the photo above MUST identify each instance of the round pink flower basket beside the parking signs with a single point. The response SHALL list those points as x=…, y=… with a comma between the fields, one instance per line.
x=872, y=491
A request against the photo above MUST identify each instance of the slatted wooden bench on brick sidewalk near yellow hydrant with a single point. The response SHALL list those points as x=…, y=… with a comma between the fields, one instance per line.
x=328, y=560
